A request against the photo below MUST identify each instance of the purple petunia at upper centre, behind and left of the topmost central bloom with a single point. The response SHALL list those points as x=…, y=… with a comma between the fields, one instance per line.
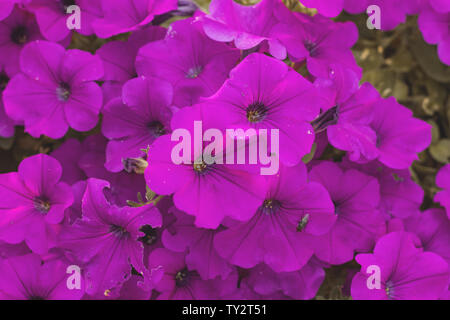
x=195, y=65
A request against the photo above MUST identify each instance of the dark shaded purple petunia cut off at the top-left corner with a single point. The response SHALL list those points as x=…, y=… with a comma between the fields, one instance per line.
x=16, y=31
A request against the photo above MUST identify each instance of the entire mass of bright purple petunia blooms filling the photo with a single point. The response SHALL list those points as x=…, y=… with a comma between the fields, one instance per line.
x=135, y=224
